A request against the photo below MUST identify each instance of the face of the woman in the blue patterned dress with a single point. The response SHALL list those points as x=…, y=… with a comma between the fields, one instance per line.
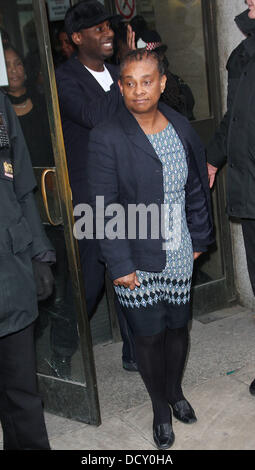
x=141, y=85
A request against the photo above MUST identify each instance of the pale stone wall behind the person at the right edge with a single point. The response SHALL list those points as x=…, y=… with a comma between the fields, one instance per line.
x=228, y=38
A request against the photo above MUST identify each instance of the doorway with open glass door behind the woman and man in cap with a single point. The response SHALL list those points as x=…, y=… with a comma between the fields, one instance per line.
x=63, y=330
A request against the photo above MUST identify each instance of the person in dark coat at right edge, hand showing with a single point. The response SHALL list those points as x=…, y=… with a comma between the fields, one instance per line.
x=234, y=141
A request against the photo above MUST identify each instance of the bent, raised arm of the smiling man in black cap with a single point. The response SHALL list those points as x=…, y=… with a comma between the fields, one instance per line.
x=87, y=113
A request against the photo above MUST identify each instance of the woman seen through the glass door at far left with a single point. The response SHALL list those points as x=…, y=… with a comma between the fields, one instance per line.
x=29, y=106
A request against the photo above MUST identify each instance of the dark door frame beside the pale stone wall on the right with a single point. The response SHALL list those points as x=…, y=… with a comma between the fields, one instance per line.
x=221, y=292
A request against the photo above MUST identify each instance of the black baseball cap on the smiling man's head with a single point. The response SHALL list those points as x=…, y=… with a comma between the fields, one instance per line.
x=84, y=15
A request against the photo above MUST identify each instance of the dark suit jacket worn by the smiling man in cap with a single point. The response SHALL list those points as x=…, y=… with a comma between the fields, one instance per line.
x=83, y=105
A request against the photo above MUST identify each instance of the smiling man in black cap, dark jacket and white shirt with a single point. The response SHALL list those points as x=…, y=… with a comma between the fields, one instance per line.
x=89, y=94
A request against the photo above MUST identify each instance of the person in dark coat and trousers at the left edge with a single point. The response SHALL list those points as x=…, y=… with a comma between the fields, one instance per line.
x=25, y=276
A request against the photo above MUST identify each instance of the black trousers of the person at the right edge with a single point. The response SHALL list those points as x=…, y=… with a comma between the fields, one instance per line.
x=248, y=227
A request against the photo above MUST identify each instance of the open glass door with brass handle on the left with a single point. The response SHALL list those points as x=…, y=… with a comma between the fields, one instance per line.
x=65, y=362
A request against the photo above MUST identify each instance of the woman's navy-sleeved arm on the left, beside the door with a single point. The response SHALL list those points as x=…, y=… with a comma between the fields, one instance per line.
x=102, y=180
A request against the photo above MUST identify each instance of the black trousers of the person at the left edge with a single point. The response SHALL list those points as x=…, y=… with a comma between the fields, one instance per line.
x=21, y=410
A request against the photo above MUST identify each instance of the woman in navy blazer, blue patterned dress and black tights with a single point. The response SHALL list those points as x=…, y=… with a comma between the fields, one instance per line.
x=149, y=154
